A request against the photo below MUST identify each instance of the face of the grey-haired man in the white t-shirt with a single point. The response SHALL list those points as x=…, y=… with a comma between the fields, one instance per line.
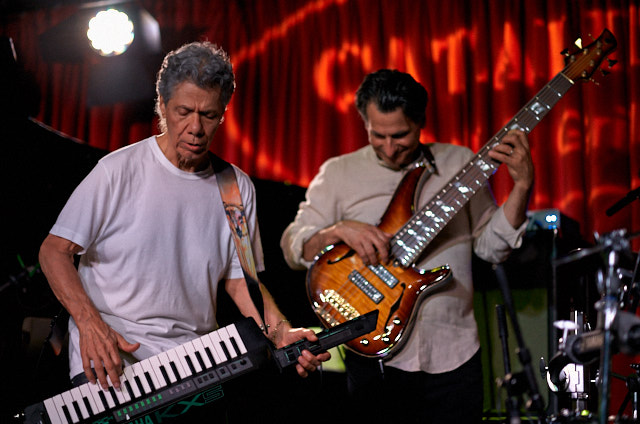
x=192, y=115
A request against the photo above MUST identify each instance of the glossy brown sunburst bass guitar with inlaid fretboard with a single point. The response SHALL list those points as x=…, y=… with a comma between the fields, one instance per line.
x=341, y=287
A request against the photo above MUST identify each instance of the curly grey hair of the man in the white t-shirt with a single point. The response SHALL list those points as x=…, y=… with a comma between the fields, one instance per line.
x=202, y=63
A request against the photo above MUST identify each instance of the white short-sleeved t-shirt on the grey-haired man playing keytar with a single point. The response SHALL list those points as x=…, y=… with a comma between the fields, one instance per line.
x=156, y=242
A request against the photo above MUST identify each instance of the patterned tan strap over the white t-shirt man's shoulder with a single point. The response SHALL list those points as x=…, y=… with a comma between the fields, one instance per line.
x=234, y=210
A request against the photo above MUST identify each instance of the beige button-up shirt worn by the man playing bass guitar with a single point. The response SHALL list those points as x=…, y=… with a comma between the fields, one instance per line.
x=358, y=186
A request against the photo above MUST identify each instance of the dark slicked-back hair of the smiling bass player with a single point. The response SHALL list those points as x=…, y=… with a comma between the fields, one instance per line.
x=389, y=89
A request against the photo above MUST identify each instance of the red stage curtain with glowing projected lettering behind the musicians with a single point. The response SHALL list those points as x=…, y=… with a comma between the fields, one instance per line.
x=298, y=64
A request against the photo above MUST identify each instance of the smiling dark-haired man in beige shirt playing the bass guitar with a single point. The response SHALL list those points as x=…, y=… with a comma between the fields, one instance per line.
x=436, y=376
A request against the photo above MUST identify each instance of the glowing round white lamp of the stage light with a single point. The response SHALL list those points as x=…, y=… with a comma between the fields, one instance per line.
x=110, y=32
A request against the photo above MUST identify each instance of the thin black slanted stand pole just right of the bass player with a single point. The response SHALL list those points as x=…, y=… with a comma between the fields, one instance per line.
x=524, y=355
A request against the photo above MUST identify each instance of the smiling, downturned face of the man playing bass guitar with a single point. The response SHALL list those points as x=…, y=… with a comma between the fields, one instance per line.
x=393, y=136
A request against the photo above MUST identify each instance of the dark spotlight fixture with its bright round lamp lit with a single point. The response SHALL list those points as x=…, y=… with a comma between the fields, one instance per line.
x=122, y=73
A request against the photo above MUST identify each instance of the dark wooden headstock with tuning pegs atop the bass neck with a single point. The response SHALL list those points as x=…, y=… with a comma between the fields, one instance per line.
x=582, y=63
